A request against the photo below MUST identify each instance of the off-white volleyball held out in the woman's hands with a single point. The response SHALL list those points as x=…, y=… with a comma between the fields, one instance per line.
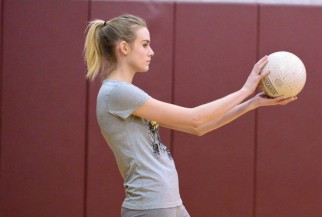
x=287, y=75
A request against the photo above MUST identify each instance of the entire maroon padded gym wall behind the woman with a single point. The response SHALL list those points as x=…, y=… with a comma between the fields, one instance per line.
x=54, y=161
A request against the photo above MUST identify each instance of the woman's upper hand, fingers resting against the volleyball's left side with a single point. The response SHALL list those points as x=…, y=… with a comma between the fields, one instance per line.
x=255, y=76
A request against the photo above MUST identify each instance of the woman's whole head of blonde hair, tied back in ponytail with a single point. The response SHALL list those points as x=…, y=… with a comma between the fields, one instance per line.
x=101, y=39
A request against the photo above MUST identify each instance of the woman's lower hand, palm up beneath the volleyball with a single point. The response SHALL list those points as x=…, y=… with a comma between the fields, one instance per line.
x=263, y=100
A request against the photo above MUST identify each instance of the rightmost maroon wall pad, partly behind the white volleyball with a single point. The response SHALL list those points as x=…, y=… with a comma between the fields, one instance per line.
x=289, y=138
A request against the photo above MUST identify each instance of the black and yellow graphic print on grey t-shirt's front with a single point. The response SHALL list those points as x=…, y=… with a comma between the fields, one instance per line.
x=154, y=139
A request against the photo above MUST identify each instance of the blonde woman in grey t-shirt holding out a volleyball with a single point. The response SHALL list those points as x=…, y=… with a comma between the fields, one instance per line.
x=129, y=118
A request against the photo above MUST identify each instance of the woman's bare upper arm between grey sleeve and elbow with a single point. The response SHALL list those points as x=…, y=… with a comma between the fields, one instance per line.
x=169, y=115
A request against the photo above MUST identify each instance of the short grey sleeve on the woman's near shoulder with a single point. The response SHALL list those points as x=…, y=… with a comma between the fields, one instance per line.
x=125, y=99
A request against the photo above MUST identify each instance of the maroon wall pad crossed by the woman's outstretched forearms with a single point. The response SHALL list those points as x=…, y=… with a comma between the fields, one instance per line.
x=215, y=51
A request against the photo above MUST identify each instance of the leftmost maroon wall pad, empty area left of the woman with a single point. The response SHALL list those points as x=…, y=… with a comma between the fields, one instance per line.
x=43, y=109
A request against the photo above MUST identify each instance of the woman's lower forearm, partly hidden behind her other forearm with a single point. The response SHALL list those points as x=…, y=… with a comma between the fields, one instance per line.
x=230, y=116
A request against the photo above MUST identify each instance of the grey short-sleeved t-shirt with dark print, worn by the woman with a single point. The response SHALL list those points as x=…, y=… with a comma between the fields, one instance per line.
x=146, y=165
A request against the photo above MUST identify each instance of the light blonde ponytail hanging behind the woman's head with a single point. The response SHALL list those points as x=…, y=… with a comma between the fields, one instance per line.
x=93, y=54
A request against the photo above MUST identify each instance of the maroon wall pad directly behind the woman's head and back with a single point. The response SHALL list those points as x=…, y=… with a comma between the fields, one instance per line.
x=105, y=186
